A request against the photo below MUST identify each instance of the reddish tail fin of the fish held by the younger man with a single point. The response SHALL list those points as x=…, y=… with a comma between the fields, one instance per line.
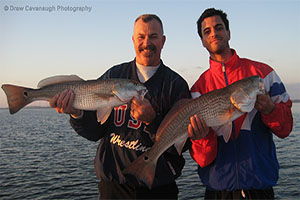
x=143, y=169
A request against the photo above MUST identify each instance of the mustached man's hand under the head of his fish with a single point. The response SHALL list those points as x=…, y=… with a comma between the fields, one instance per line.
x=142, y=110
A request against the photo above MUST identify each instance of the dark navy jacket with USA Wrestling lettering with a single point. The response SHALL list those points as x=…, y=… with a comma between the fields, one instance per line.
x=123, y=138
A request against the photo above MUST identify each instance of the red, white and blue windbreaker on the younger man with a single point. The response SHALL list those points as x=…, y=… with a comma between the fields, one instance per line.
x=248, y=160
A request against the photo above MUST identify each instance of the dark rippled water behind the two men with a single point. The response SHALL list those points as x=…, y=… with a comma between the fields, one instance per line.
x=41, y=157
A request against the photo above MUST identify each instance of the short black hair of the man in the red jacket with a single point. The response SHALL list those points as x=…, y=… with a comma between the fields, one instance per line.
x=209, y=13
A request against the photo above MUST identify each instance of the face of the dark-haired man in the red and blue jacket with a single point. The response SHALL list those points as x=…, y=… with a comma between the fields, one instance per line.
x=215, y=37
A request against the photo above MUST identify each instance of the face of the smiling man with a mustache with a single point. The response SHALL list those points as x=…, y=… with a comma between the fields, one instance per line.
x=148, y=42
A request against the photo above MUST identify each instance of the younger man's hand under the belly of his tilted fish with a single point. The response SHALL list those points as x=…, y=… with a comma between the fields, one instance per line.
x=197, y=128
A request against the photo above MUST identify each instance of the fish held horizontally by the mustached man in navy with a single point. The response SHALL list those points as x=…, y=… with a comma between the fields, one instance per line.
x=100, y=95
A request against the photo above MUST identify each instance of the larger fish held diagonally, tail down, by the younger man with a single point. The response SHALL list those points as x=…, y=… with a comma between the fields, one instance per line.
x=218, y=109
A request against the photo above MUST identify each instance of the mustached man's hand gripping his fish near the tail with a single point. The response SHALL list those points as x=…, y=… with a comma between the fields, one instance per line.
x=62, y=103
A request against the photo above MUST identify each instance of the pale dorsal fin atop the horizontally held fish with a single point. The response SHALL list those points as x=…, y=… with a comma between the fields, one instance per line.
x=58, y=79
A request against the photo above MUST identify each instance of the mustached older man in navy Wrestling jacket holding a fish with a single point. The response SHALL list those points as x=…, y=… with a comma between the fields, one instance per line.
x=136, y=122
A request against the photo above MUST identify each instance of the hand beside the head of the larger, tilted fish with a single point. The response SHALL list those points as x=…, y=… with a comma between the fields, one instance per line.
x=264, y=104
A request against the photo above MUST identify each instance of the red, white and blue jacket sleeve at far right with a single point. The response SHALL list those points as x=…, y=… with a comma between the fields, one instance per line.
x=280, y=121
